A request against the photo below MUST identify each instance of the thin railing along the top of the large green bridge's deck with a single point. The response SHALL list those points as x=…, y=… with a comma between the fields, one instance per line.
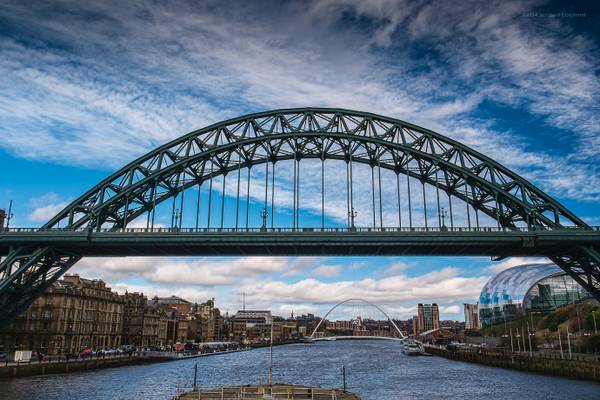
x=177, y=230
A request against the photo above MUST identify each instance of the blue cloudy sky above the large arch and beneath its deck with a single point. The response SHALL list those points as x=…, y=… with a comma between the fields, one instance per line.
x=87, y=87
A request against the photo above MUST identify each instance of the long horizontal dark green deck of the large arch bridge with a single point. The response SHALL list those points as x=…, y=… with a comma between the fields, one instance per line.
x=216, y=242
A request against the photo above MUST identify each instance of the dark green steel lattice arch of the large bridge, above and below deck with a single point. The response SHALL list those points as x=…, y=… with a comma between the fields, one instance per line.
x=295, y=134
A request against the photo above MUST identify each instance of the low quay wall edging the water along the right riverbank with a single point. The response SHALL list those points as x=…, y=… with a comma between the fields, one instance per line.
x=573, y=369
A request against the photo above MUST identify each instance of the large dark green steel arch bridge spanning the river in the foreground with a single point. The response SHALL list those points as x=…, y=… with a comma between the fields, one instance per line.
x=118, y=216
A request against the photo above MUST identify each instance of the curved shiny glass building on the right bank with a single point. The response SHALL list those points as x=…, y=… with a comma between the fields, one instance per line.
x=525, y=288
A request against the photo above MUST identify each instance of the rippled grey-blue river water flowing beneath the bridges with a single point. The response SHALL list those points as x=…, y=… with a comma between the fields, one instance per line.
x=376, y=370
